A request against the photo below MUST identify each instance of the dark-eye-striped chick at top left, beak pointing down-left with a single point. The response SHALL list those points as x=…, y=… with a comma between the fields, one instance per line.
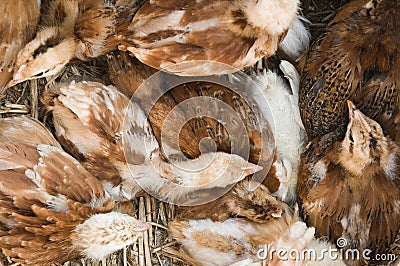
x=82, y=29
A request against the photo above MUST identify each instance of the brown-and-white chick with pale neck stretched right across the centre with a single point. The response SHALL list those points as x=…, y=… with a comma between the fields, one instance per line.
x=114, y=140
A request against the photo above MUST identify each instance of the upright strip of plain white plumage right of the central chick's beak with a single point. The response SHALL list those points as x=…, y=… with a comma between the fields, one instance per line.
x=277, y=100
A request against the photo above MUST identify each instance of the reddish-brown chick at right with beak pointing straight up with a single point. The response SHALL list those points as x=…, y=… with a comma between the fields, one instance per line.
x=351, y=190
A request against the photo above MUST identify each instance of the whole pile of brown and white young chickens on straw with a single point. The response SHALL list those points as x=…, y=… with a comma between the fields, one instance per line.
x=324, y=141
